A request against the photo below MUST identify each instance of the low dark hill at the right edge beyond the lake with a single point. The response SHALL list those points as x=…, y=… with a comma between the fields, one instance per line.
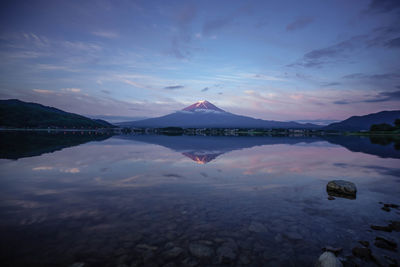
x=359, y=123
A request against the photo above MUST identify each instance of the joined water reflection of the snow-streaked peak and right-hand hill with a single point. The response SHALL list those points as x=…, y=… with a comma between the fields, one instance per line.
x=204, y=149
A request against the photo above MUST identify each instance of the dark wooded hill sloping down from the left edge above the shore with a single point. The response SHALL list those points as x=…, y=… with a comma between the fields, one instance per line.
x=15, y=113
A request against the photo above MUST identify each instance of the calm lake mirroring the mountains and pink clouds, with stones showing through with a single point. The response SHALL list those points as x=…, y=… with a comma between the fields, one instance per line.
x=91, y=199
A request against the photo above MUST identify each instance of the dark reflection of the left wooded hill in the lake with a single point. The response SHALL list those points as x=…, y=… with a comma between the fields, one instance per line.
x=15, y=145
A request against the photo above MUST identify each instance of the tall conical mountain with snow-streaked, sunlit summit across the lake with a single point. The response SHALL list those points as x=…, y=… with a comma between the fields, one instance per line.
x=203, y=114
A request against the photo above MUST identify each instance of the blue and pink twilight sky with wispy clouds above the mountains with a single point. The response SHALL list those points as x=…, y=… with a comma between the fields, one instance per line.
x=276, y=60
